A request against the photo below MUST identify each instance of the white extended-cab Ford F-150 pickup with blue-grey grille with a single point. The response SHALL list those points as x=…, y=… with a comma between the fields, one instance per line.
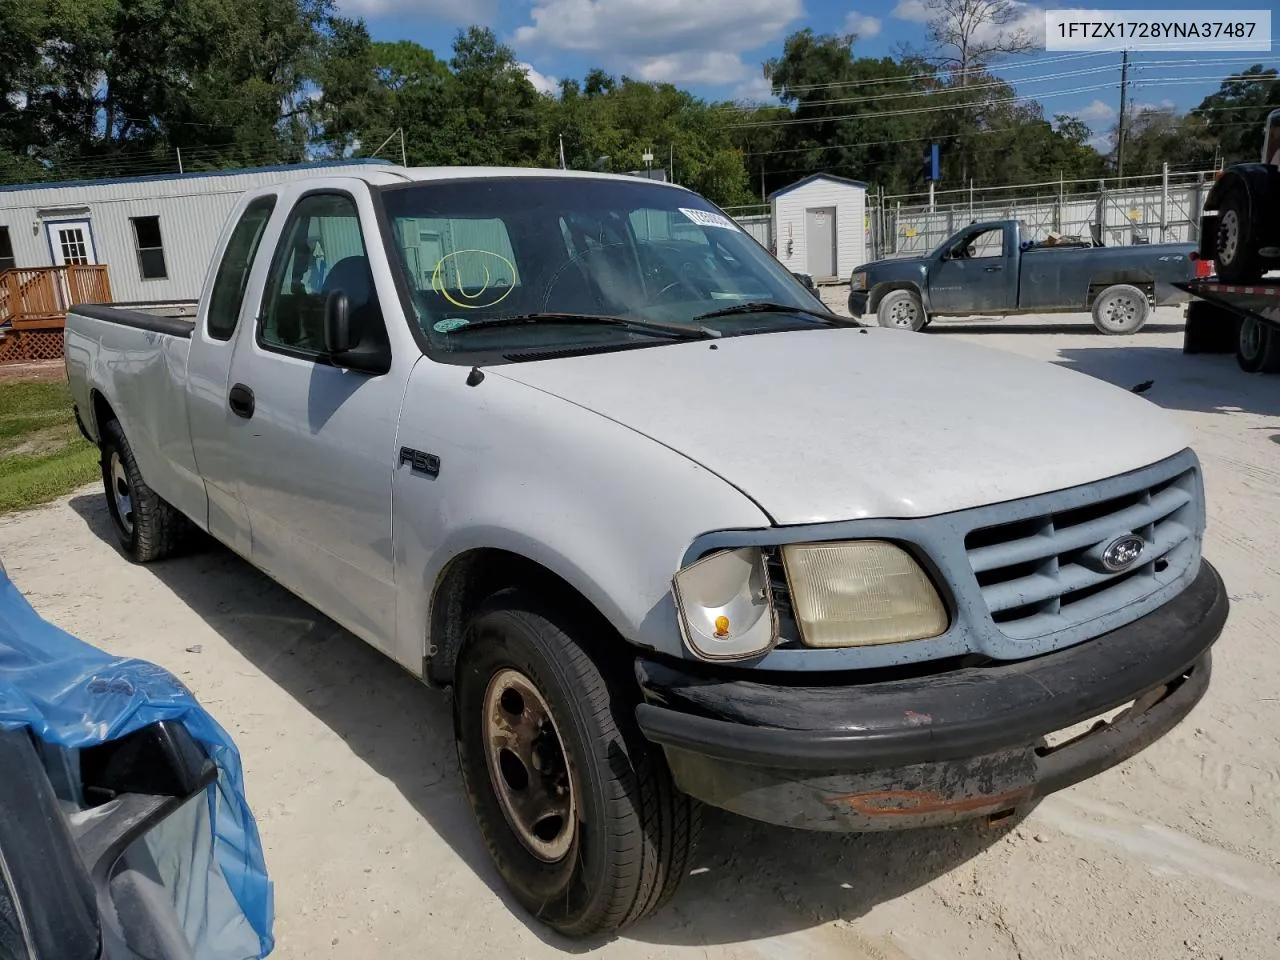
x=579, y=447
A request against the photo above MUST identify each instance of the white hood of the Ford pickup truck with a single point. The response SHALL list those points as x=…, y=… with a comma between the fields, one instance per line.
x=840, y=424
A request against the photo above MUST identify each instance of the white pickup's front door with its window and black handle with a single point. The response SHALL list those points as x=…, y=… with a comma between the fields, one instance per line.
x=313, y=442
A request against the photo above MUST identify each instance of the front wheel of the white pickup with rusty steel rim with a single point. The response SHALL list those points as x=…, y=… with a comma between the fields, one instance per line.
x=633, y=831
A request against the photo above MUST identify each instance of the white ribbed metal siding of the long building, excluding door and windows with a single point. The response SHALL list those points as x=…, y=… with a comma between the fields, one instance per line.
x=191, y=211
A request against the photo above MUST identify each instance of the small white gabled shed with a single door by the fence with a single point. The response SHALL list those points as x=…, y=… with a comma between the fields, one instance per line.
x=820, y=226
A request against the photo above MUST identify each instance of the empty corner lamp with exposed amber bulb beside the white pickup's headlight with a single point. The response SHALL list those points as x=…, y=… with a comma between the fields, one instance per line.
x=726, y=606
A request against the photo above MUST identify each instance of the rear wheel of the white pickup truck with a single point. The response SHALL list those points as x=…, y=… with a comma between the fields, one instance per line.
x=148, y=527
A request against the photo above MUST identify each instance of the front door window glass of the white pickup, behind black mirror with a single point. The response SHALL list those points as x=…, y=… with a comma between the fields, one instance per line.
x=322, y=252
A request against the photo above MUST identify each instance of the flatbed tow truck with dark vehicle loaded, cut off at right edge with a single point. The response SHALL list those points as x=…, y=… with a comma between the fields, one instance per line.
x=1241, y=234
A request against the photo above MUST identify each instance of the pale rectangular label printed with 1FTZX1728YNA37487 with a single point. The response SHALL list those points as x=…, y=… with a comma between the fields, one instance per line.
x=1194, y=31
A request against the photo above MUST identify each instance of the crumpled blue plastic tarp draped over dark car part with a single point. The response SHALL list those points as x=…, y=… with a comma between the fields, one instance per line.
x=75, y=696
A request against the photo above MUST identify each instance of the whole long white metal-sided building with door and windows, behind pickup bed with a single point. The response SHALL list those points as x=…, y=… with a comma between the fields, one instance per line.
x=156, y=235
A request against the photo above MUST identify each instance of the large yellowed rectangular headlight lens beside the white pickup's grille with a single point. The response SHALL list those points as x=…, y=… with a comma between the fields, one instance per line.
x=861, y=593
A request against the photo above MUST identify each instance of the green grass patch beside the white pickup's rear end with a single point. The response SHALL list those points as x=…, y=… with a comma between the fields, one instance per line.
x=43, y=455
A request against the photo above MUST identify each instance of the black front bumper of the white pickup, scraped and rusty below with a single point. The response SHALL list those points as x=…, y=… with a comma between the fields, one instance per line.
x=888, y=753
